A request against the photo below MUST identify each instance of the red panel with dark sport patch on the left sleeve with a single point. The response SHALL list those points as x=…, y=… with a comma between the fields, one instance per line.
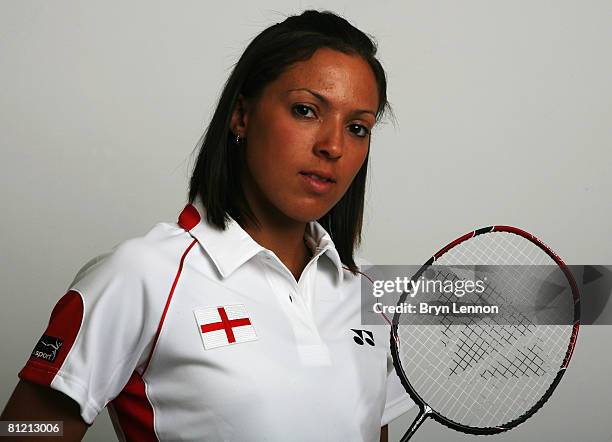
x=58, y=339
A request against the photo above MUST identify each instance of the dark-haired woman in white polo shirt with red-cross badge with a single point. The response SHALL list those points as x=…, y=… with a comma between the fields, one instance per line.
x=242, y=320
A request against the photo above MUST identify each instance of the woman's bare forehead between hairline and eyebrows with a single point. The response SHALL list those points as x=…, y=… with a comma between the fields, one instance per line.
x=348, y=79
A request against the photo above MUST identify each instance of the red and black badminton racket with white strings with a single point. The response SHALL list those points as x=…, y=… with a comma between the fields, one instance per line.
x=485, y=375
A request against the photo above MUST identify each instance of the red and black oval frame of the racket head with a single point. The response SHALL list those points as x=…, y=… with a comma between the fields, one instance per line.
x=395, y=341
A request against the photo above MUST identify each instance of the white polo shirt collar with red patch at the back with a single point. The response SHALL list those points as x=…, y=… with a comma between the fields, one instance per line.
x=230, y=248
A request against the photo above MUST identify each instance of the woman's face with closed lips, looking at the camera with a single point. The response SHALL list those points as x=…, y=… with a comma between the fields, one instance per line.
x=307, y=135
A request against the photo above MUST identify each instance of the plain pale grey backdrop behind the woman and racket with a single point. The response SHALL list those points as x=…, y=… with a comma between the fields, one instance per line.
x=503, y=116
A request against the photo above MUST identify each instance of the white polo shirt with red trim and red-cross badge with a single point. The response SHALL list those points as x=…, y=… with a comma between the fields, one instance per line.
x=194, y=333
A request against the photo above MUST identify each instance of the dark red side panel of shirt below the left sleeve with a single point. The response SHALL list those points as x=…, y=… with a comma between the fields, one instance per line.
x=134, y=411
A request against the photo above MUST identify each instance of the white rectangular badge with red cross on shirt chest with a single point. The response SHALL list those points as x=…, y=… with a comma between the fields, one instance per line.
x=224, y=325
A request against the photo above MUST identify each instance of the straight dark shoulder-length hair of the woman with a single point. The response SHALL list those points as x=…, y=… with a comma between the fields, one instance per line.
x=216, y=175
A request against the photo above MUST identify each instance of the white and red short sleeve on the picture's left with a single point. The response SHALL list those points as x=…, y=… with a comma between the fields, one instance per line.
x=99, y=332
